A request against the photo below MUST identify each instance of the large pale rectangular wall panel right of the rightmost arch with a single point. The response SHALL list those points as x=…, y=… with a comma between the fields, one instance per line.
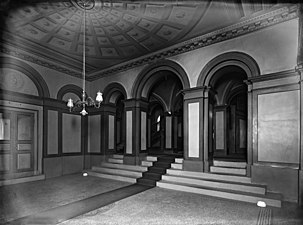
x=278, y=127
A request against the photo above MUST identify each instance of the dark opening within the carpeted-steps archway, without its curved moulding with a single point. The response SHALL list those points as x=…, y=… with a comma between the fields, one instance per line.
x=165, y=115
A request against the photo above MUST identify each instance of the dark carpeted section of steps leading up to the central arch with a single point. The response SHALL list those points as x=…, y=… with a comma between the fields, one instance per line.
x=157, y=167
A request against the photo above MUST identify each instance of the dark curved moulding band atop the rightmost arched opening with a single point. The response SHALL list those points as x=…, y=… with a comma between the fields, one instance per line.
x=240, y=59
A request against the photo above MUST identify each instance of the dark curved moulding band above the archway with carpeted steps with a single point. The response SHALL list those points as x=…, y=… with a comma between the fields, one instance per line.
x=147, y=77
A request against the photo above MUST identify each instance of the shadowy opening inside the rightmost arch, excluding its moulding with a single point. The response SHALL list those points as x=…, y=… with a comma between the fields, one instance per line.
x=229, y=114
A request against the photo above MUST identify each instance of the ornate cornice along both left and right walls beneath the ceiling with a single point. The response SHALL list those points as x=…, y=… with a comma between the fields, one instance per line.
x=248, y=26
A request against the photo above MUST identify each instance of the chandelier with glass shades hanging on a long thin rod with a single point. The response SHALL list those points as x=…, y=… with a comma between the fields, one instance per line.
x=86, y=101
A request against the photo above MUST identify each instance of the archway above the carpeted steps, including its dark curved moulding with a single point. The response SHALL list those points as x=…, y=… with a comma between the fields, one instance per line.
x=160, y=86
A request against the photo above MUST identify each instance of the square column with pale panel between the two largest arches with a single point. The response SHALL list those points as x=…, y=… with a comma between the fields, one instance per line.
x=193, y=129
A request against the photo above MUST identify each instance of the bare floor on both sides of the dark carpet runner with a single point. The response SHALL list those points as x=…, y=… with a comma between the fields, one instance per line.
x=155, y=206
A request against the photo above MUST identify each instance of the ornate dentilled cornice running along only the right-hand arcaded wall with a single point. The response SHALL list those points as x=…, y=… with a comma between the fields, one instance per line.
x=248, y=26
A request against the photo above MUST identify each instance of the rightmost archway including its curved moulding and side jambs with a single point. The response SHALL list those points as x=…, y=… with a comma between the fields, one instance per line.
x=227, y=107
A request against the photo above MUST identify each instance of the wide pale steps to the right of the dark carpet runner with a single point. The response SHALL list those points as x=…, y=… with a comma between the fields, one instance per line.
x=226, y=180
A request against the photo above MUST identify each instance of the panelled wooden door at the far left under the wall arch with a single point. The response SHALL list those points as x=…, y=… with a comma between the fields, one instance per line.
x=16, y=143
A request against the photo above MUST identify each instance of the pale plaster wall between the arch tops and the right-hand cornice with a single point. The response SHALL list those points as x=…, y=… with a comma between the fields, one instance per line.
x=274, y=49
